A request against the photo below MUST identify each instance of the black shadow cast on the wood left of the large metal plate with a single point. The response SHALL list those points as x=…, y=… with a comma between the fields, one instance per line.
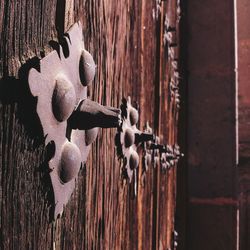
x=15, y=91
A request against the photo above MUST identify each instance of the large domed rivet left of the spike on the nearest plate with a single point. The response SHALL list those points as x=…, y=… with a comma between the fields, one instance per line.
x=64, y=98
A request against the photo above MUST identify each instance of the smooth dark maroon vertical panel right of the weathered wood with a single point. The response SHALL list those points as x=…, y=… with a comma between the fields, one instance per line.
x=211, y=126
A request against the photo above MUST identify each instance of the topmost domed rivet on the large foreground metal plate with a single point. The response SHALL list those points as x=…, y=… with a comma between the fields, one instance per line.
x=86, y=68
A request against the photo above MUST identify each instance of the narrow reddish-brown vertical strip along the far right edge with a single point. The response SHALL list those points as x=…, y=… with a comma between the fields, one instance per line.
x=243, y=11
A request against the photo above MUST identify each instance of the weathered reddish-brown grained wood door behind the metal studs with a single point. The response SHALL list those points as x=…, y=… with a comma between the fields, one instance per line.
x=103, y=213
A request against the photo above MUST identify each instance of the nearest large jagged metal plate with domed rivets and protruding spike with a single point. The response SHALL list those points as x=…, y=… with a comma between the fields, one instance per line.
x=61, y=88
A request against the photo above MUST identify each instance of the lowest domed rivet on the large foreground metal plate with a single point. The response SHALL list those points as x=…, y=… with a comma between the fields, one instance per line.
x=70, y=162
